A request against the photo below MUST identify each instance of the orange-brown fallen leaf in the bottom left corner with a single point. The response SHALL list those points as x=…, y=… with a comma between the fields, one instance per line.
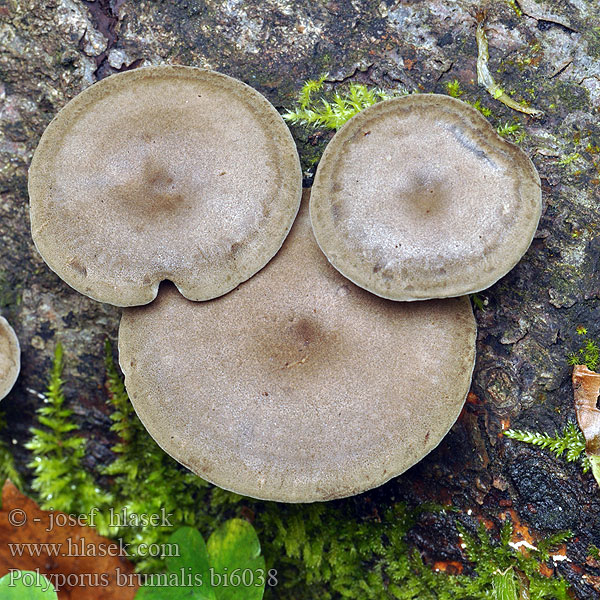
x=79, y=562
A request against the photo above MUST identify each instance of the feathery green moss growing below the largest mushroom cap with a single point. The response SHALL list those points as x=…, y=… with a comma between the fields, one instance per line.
x=318, y=550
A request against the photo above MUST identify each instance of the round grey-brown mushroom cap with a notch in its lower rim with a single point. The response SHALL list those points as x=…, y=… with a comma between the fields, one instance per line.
x=163, y=173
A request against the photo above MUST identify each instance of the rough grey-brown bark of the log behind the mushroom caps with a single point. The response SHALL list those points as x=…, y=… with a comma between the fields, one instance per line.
x=545, y=51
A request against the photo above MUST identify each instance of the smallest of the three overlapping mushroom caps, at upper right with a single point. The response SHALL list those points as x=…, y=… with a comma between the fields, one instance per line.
x=418, y=197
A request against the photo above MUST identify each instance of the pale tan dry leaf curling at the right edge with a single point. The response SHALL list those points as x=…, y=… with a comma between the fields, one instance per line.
x=586, y=388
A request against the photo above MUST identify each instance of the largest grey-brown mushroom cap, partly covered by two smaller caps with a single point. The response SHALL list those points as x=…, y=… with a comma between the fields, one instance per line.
x=298, y=386
